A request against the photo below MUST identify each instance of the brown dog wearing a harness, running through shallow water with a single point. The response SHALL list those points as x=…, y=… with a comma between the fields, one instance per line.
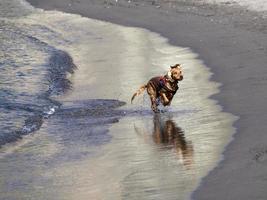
x=162, y=88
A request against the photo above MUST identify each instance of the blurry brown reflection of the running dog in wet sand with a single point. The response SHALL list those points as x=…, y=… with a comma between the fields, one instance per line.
x=168, y=135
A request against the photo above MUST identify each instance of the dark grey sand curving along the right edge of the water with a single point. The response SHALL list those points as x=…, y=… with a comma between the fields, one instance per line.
x=233, y=43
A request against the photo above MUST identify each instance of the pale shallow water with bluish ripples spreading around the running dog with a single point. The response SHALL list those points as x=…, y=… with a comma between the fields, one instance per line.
x=84, y=140
